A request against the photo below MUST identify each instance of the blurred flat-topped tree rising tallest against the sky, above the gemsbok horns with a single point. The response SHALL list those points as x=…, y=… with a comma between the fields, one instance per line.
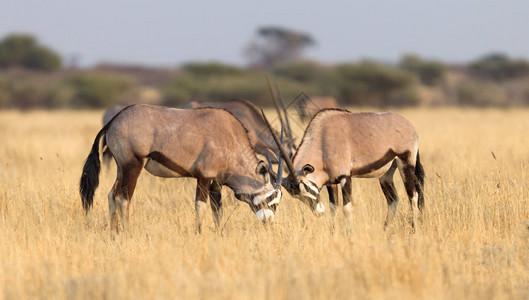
x=276, y=45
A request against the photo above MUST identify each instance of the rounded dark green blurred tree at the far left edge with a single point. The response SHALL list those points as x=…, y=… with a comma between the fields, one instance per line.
x=21, y=50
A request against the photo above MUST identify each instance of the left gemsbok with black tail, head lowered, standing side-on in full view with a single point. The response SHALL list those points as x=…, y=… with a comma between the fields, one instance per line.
x=208, y=144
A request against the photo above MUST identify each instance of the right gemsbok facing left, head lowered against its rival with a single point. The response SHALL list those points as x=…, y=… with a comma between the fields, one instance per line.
x=339, y=145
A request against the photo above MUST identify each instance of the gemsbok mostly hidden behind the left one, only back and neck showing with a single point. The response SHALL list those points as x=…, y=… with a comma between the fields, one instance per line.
x=250, y=116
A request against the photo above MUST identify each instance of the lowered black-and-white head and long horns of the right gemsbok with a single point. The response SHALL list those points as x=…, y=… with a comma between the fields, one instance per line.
x=296, y=183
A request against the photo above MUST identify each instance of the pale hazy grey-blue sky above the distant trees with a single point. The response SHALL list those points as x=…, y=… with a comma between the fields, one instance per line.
x=172, y=32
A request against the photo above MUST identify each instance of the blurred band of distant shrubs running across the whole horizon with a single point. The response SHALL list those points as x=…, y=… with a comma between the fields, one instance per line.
x=31, y=77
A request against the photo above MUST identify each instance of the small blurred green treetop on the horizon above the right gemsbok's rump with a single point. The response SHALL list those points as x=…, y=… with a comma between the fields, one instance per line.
x=430, y=72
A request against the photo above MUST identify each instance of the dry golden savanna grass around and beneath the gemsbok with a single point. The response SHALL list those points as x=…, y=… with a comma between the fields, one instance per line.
x=472, y=243
